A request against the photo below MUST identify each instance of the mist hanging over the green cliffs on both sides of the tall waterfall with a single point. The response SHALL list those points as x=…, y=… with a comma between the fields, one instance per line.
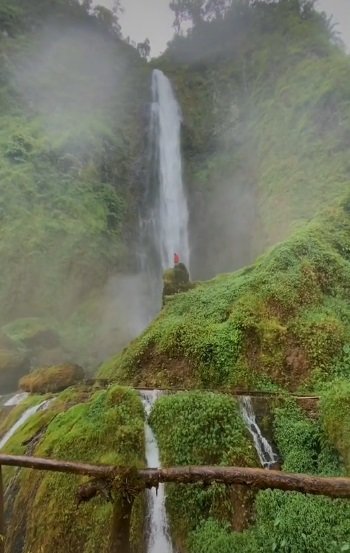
x=77, y=149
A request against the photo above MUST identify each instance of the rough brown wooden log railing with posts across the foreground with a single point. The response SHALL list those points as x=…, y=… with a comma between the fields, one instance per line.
x=257, y=479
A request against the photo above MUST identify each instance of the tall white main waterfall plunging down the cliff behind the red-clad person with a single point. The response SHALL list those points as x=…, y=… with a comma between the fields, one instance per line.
x=164, y=214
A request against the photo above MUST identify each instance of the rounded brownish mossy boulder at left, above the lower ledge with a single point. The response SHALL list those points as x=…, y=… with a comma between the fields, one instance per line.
x=52, y=379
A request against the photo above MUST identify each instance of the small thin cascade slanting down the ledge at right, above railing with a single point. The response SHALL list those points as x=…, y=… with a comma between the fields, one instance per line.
x=264, y=450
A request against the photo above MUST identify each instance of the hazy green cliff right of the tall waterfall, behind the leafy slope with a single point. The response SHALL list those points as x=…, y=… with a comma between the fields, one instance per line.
x=265, y=97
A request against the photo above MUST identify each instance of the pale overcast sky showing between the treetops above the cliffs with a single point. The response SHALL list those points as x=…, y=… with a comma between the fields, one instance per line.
x=153, y=19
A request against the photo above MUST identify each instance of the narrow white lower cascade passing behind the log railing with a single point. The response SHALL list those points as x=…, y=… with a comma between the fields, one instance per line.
x=158, y=539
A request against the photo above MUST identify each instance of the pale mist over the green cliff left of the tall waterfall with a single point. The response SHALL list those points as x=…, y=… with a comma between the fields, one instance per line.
x=74, y=267
